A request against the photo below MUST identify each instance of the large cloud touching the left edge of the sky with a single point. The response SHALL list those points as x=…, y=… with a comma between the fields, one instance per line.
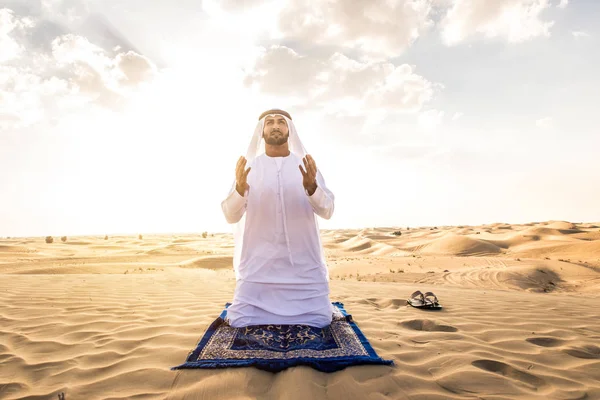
x=45, y=82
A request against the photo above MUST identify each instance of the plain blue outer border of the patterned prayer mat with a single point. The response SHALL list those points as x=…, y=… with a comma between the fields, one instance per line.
x=330, y=364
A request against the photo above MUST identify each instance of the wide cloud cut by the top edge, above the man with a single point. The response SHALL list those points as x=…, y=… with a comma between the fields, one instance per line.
x=378, y=28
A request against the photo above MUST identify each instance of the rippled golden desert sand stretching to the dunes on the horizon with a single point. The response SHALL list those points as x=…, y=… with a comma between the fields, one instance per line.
x=107, y=319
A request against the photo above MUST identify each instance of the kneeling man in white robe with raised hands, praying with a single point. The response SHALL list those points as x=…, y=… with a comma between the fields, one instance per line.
x=280, y=268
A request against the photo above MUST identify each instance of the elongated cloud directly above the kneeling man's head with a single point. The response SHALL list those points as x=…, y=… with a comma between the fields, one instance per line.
x=339, y=84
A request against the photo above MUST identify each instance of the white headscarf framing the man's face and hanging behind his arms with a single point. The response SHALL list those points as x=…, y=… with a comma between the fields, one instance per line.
x=255, y=149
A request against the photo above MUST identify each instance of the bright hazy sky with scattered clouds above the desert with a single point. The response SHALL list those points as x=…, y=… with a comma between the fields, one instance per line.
x=126, y=117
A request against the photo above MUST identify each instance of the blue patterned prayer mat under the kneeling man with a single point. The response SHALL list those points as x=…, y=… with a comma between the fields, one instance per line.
x=277, y=347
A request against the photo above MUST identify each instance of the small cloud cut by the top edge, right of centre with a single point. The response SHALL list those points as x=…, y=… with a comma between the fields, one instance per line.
x=514, y=20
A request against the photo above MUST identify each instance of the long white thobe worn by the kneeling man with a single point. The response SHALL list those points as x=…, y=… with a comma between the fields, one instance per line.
x=282, y=276
